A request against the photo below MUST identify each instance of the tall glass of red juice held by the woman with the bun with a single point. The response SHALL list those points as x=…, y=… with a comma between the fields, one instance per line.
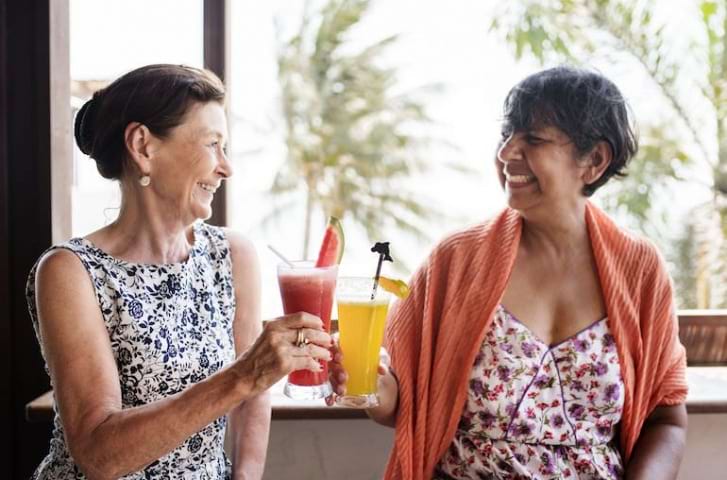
x=307, y=288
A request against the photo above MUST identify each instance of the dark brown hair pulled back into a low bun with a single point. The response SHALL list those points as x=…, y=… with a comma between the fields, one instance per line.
x=157, y=96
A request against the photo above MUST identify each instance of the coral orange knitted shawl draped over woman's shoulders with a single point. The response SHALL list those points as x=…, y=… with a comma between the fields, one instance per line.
x=434, y=335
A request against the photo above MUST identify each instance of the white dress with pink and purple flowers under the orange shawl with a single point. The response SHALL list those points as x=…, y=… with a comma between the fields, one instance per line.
x=536, y=411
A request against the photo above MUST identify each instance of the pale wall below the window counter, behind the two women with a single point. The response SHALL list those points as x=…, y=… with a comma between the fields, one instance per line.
x=358, y=449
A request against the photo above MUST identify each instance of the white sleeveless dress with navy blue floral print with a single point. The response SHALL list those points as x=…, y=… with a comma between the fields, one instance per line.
x=170, y=326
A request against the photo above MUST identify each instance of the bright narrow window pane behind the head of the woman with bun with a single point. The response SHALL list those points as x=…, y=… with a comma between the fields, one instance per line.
x=108, y=39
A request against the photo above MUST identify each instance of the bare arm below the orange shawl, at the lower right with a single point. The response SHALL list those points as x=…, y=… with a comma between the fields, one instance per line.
x=660, y=448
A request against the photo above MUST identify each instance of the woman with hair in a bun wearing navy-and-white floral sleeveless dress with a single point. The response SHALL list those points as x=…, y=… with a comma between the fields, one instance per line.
x=150, y=326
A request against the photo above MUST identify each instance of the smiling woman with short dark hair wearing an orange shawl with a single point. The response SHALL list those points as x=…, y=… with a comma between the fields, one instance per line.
x=542, y=343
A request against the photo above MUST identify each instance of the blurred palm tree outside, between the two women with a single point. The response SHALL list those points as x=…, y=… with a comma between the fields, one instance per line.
x=350, y=137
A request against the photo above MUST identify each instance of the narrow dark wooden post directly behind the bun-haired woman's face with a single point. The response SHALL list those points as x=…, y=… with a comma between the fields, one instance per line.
x=214, y=60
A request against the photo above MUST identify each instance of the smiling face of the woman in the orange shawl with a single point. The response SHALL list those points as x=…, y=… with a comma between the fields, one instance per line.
x=540, y=168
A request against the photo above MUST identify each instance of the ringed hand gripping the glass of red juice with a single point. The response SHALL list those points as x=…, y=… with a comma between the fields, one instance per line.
x=275, y=354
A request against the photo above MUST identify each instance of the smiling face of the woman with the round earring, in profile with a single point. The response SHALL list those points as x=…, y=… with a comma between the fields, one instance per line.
x=189, y=164
